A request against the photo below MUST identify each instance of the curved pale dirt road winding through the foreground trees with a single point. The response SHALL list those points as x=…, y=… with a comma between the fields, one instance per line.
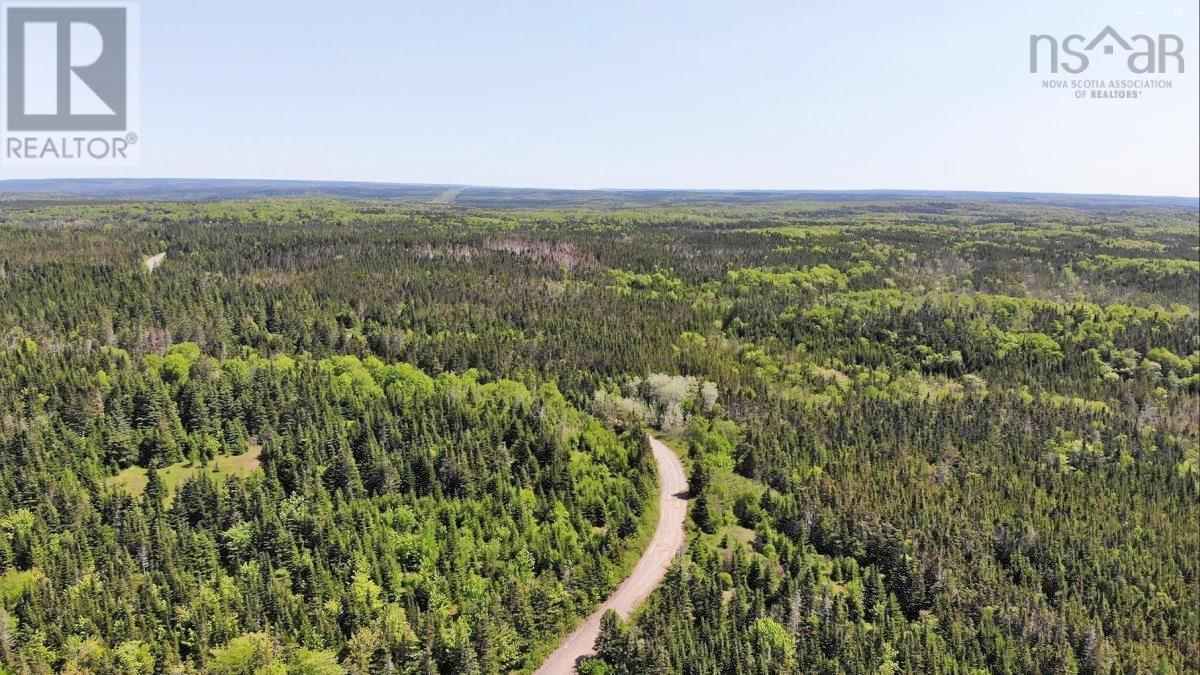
x=651, y=570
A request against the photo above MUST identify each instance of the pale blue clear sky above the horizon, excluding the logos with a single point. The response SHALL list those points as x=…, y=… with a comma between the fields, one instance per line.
x=651, y=94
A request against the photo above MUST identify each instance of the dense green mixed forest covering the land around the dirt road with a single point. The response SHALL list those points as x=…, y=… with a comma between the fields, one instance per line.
x=338, y=435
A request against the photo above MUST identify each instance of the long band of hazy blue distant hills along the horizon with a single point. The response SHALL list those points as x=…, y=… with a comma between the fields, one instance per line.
x=183, y=189
